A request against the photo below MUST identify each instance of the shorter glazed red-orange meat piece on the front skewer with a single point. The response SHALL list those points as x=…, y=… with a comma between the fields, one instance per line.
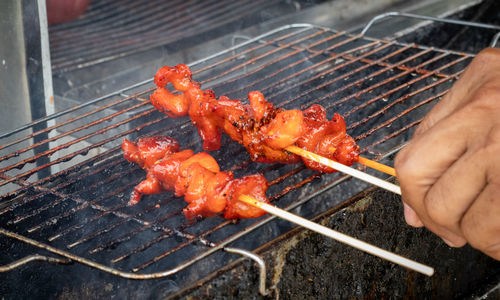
x=197, y=177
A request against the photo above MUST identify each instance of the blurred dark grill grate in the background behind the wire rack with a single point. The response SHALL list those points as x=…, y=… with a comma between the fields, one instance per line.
x=113, y=29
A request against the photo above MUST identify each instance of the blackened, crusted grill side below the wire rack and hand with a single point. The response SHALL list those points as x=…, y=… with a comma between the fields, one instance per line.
x=307, y=265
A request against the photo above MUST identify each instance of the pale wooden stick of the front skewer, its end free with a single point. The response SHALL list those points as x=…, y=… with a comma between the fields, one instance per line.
x=343, y=238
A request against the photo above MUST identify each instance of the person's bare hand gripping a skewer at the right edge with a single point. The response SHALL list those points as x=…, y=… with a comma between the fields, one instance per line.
x=450, y=171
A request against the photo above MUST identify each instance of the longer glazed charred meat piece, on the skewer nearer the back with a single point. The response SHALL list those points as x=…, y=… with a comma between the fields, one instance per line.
x=263, y=130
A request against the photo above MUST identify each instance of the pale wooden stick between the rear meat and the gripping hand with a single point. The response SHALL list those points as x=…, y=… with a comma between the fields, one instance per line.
x=345, y=169
